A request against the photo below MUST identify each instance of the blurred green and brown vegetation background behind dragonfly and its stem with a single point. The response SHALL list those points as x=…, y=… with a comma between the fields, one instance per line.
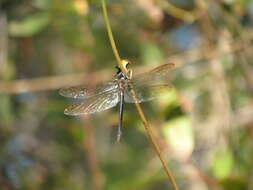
x=203, y=126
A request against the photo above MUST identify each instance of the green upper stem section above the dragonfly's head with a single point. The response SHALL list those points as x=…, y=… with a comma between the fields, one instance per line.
x=109, y=31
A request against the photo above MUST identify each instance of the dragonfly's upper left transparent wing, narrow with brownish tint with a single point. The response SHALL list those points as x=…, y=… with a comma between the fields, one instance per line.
x=88, y=91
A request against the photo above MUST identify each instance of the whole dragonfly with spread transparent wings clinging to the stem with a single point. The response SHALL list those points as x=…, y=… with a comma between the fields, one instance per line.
x=122, y=88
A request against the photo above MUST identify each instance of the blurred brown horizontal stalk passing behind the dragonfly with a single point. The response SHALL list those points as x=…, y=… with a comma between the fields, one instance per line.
x=56, y=82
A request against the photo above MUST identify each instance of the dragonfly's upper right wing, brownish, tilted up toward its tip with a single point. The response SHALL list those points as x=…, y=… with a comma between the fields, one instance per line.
x=156, y=76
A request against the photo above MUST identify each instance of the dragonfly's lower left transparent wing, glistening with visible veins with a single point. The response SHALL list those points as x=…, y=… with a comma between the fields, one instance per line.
x=94, y=104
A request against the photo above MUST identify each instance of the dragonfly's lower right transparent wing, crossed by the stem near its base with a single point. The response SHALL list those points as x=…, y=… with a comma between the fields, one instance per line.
x=146, y=93
